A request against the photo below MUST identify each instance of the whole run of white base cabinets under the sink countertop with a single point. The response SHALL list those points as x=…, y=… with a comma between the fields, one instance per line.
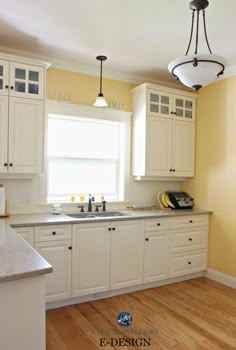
x=96, y=257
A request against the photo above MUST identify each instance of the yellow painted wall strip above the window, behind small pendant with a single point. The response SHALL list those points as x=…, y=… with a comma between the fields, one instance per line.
x=83, y=89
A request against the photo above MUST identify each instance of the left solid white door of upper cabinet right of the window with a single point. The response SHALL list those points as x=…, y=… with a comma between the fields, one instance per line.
x=159, y=146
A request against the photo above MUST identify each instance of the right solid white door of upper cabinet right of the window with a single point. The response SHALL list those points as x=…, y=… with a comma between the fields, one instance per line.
x=183, y=149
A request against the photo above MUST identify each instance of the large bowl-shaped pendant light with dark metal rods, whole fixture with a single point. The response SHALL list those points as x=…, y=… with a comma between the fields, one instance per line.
x=197, y=70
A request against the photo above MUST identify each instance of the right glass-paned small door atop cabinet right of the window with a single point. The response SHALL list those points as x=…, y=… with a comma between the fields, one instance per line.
x=183, y=108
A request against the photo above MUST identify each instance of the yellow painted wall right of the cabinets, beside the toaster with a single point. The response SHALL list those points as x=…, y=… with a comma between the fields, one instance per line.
x=214, y=186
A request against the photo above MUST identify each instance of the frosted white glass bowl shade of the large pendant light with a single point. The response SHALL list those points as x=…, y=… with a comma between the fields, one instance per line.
x=205, y=72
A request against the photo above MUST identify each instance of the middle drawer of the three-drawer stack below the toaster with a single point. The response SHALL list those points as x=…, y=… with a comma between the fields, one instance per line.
x=185, y=240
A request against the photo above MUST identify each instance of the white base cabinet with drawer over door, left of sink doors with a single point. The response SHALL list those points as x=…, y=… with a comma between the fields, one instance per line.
x=53, y=242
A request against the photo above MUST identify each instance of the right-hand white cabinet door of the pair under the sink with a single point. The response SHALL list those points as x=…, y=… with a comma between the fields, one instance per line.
x=127, y=245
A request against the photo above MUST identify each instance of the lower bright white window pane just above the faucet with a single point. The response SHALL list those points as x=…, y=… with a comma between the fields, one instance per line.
x=70, y=177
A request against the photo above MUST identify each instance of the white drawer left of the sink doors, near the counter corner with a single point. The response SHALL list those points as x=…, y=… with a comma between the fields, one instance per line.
x=52, y=233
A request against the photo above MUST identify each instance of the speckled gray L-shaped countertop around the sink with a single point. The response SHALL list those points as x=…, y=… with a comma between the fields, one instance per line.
x=19, y=260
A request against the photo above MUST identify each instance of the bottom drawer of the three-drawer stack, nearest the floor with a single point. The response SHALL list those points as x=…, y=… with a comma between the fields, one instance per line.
x=188, y=263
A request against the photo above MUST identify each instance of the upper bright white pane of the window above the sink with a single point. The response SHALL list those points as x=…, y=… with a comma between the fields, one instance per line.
x=73, y=137
